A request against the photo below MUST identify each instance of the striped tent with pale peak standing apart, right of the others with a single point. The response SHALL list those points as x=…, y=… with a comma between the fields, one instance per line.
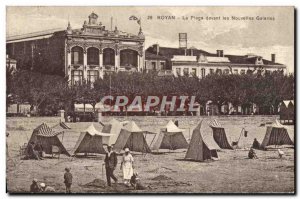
x=277, y=134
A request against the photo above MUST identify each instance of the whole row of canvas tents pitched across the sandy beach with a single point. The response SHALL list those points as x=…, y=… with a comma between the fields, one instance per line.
x=203, y=144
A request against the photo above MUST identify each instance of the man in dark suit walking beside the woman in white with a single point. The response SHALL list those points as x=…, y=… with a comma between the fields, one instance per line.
x=111, y=162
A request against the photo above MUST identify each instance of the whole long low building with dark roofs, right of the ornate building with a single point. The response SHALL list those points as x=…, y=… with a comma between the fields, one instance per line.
x=197, y=62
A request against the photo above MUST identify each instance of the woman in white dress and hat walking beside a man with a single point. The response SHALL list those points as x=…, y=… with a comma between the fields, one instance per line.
x=127, y=166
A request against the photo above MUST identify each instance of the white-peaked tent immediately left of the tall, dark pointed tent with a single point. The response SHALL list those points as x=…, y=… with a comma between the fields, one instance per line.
x=170, y=137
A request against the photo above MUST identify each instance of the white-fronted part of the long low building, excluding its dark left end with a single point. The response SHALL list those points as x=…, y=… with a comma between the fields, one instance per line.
x=219, y=63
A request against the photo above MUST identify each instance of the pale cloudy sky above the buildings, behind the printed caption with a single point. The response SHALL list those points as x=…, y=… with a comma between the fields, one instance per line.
x=240, y=34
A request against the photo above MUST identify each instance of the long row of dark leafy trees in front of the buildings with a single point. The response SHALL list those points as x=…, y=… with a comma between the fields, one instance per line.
x=50, y=93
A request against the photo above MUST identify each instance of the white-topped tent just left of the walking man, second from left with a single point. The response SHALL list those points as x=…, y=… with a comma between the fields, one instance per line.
x=91, y=141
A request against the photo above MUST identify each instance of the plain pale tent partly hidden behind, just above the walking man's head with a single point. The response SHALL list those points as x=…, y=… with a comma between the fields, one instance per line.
x=113, y=127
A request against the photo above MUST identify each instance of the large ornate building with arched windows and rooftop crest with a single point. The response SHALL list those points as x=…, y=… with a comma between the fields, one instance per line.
x=81, y=54
